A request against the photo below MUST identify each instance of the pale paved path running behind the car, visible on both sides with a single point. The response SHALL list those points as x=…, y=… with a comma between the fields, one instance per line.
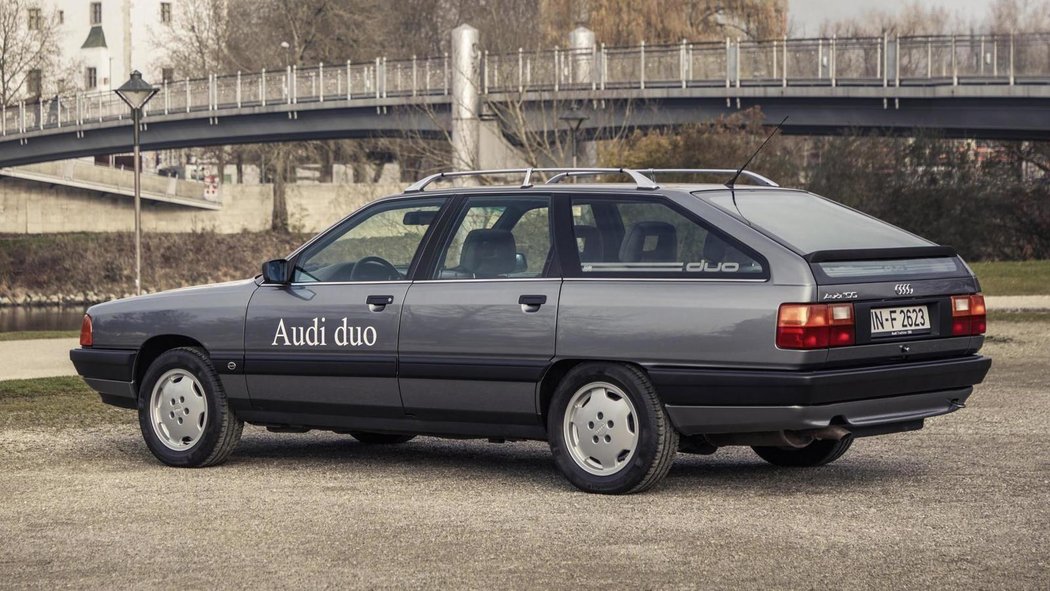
x=51, y=357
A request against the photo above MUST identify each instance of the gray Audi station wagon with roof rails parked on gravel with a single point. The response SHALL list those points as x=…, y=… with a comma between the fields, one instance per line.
x=623, y=323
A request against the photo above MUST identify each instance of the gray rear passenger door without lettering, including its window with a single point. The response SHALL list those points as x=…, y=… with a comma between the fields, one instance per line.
x=478, y=327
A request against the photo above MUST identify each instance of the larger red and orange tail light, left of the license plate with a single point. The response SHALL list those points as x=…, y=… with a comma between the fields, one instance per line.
x=815, y=326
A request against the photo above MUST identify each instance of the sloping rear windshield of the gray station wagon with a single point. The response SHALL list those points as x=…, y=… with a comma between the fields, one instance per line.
x=810, y=224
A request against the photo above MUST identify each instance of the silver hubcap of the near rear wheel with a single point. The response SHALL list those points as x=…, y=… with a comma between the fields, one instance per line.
x=601, y=429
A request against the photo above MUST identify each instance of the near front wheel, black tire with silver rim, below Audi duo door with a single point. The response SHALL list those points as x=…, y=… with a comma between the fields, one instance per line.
x=183, y=411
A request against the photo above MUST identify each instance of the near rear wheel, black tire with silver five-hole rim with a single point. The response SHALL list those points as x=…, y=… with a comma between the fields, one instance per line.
x=600, y=405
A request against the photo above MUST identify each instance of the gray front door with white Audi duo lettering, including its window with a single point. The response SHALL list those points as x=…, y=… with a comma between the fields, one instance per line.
x=327, y=344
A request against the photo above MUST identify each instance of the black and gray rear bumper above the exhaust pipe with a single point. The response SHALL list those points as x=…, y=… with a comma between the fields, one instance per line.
x=707, y=402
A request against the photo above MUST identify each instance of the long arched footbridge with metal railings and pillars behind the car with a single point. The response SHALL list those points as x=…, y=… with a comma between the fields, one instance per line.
x=963, y=87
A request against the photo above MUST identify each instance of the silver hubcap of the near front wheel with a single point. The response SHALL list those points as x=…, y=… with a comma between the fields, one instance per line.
x=179, y=410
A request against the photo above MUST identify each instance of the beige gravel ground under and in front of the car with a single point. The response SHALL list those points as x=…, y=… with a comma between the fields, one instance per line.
x=960, y=504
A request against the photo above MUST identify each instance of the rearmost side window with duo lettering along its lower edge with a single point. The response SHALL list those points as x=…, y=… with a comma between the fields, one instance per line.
x=647, y=239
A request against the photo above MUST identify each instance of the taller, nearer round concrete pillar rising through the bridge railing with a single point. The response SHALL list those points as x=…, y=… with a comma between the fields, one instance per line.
x=466, y=97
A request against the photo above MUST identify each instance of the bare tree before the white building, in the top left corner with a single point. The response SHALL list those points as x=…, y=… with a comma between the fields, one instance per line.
x=30, y=64
